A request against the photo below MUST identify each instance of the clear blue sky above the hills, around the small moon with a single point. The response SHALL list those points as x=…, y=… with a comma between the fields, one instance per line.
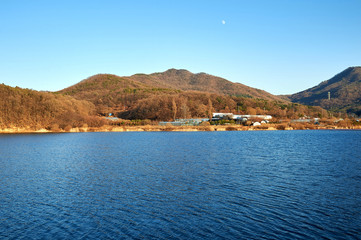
x=281, y=46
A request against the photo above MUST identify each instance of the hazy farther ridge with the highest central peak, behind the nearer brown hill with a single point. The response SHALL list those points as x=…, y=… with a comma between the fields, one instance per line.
x=185, y=80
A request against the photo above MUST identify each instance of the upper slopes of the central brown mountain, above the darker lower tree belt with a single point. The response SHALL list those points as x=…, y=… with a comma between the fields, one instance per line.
x=108, y=90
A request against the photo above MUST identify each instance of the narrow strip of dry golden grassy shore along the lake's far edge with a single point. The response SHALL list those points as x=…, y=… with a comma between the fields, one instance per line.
x=157, y=128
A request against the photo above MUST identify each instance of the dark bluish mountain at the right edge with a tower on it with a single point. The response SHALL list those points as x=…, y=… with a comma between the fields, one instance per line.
x=344, y=89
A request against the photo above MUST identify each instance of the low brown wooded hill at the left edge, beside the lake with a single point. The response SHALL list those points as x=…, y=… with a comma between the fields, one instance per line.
x=28, y=108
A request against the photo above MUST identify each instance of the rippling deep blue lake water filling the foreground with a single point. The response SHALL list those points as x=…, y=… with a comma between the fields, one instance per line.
x=174, y=185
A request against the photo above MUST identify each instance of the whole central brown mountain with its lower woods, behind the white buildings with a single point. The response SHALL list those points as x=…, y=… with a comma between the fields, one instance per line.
x=178, y=94
